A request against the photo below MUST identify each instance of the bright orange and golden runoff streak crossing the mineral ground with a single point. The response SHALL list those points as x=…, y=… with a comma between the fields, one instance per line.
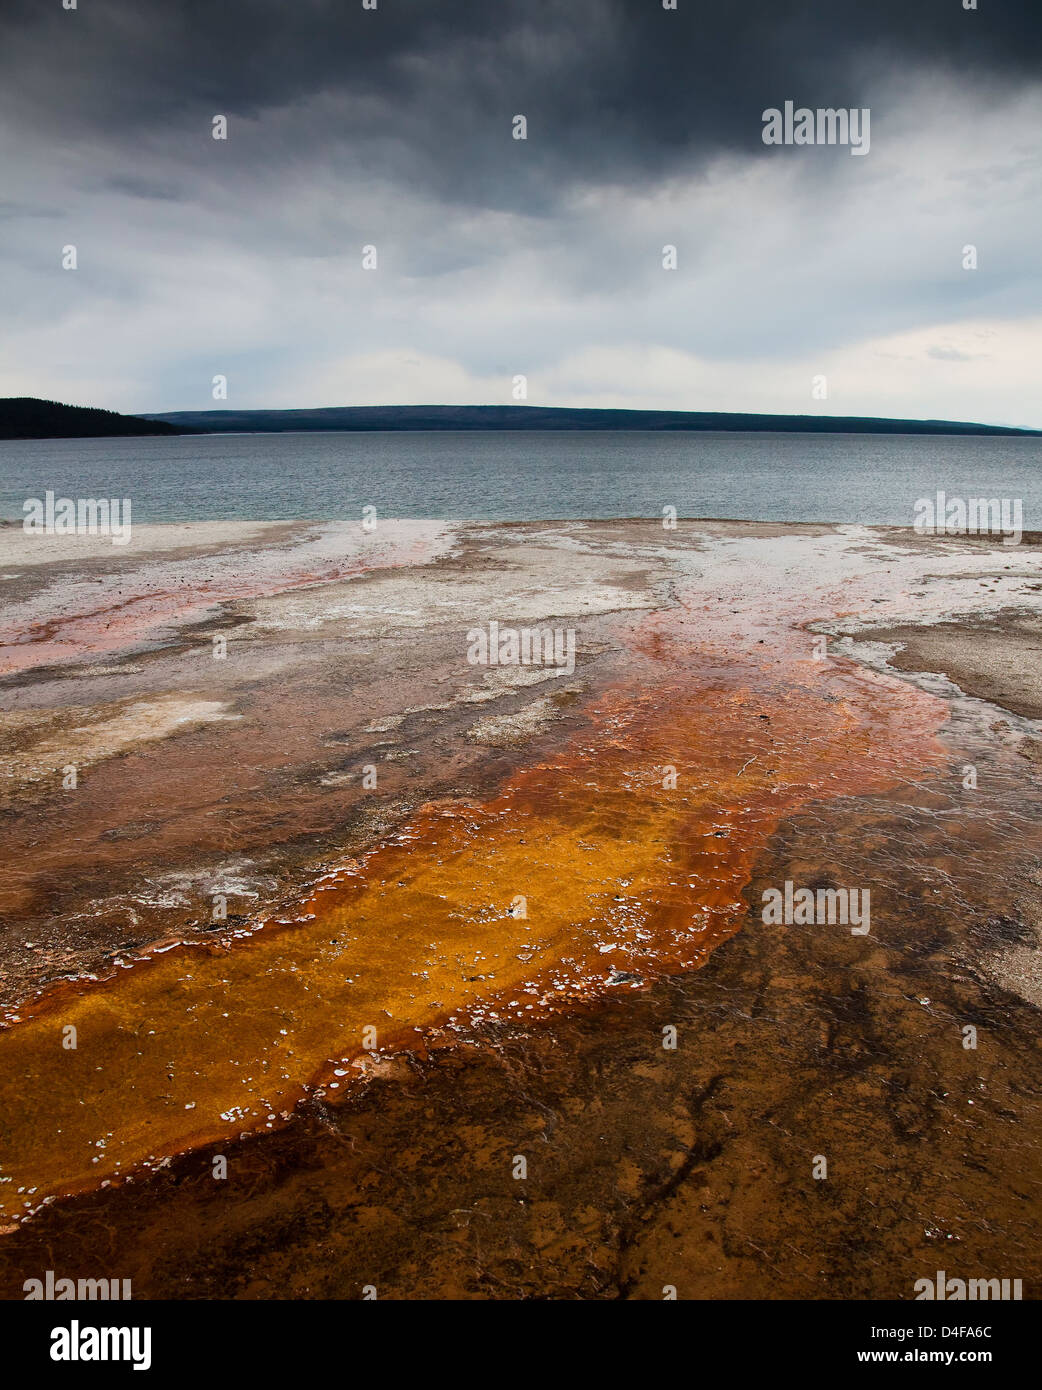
x=588, y=871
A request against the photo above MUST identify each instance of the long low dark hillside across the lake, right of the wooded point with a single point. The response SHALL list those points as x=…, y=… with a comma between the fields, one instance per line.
x=545, y=418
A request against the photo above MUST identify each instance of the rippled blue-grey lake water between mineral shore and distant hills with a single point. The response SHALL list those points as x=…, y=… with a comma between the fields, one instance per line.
x=545, y=476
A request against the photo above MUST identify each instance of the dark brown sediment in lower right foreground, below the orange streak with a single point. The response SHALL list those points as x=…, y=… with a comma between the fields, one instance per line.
x=647, y=1167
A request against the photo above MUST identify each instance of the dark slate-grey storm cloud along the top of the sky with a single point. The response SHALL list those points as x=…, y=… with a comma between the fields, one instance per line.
x=613, y=92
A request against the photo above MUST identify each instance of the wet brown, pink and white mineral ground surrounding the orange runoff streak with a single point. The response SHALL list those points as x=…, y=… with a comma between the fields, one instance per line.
x=823, y=1128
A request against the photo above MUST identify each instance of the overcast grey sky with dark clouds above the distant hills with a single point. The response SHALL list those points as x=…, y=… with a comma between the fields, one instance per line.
x=544, y=258
